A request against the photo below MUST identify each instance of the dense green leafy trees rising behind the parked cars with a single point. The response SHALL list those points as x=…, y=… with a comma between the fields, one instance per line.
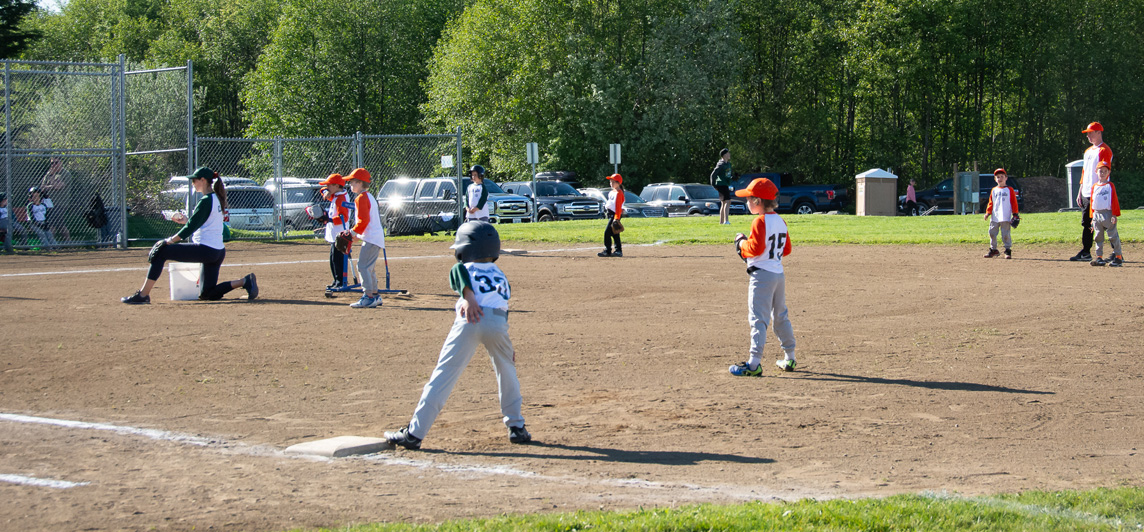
x=821, y=89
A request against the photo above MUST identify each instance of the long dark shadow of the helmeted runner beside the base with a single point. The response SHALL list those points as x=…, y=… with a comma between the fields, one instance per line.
x=605, y=455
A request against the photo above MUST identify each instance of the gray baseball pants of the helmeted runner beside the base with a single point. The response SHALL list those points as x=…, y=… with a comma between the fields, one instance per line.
x=460, y=346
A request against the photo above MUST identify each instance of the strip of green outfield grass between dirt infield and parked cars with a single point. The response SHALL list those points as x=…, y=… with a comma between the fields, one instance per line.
x=1042, y=228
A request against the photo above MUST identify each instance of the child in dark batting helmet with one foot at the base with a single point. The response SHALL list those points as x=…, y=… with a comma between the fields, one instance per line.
x=482, y=319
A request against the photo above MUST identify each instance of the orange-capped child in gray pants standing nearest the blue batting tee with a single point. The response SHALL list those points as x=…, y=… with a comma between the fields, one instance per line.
x=367, y=228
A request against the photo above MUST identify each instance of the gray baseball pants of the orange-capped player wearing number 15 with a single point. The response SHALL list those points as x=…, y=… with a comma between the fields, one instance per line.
x=767, y=300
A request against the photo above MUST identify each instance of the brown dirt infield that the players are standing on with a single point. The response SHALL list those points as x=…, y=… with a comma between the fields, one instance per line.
x=920, y=369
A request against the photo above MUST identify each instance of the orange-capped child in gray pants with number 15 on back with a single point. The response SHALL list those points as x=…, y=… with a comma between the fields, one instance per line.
x=764, y=251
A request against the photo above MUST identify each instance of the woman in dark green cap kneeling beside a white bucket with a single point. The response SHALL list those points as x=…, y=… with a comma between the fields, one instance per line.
x=206, y=247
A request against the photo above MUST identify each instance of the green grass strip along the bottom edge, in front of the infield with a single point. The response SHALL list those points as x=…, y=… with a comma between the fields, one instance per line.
x=1098, y=511
